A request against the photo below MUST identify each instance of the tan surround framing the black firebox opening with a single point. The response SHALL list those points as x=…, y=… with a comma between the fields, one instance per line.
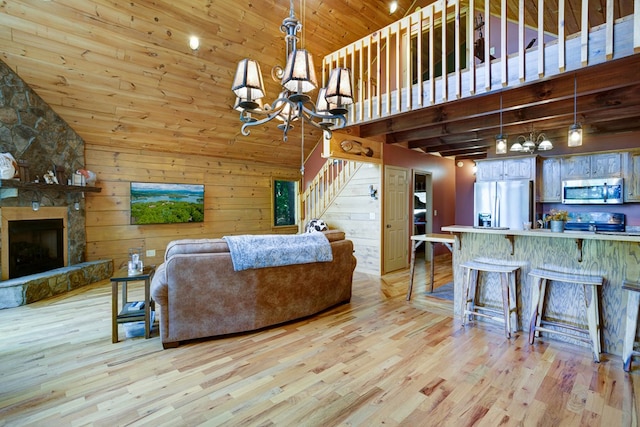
x=17, y=214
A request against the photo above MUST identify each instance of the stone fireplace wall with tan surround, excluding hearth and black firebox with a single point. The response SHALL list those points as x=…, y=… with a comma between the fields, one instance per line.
x=40, y=141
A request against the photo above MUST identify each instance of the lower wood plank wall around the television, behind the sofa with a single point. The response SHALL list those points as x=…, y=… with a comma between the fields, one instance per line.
x=237, y=199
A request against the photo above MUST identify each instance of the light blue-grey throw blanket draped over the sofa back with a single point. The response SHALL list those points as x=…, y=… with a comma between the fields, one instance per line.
x=273, y=250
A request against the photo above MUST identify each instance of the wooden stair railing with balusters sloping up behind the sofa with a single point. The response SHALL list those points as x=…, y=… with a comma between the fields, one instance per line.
x=326, y=186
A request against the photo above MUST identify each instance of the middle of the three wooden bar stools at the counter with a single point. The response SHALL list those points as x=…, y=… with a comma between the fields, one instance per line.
x=592, y=334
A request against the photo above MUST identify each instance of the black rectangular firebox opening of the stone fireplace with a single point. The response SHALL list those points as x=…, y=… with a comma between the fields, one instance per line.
x=35, y=246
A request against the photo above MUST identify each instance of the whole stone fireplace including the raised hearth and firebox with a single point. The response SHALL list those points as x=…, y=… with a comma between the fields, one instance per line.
x=41, y=141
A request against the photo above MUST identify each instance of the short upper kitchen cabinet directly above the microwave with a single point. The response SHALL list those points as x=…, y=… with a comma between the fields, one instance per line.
x=605, y=165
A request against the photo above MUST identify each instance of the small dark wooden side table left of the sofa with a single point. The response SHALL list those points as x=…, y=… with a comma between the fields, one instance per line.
x=128, y=313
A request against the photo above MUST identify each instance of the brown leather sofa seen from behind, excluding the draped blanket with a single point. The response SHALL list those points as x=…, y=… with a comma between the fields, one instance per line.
x=200, y=295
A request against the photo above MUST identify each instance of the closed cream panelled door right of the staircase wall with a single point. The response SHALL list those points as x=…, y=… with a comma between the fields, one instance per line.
x=396, y=208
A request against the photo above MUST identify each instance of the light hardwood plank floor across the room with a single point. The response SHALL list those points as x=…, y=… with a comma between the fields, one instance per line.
x=379, y=360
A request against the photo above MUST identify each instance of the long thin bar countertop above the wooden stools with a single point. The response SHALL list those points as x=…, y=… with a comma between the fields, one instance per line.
x=537, y=232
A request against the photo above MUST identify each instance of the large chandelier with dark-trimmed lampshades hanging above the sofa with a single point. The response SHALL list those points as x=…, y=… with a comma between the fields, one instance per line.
x=298, y=78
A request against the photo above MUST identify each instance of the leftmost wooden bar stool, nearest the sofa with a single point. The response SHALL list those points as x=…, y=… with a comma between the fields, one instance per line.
x=470, y=308
